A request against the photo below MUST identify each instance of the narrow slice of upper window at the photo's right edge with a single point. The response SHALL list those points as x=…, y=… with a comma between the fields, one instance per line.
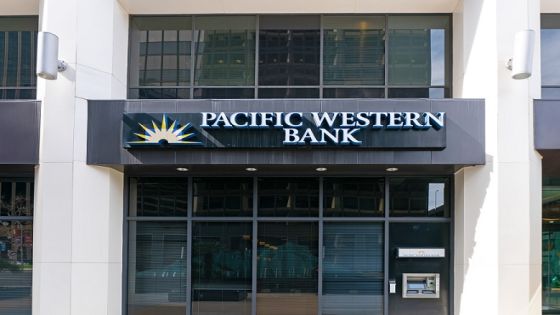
x=550, y=63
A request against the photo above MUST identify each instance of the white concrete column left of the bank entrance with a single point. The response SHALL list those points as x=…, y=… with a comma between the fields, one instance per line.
x=79, y=208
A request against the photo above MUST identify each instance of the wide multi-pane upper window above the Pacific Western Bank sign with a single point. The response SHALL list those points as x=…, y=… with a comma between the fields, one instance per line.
x=290, y=56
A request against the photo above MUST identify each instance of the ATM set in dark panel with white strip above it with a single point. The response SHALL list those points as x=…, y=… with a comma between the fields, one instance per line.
x=419, y=269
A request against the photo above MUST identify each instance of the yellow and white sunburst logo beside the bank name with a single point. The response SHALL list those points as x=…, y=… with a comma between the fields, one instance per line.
x=166, y=134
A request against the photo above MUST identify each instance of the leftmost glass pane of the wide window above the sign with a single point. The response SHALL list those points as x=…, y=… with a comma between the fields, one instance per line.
x=160, y=51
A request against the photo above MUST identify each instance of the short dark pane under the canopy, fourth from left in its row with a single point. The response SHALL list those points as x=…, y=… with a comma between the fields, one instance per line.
x=353, y=197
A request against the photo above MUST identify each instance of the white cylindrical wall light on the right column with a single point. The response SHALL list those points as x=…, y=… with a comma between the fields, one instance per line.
x=521, y=64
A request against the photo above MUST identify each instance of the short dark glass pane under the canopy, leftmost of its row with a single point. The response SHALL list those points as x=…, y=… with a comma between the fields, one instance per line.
x=165, y=197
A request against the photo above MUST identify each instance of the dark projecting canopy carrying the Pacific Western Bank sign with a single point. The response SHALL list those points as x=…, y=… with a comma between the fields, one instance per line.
x=109, y=124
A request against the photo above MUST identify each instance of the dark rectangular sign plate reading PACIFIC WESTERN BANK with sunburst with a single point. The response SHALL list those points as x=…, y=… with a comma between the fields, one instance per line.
x=381, y=130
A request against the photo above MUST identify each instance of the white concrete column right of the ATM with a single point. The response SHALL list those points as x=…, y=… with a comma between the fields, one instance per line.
x=498, y=206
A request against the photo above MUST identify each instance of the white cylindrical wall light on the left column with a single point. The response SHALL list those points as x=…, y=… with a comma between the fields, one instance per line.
x=48, y=64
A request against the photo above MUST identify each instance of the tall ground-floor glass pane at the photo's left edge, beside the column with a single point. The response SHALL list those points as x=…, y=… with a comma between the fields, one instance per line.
x=16, y=257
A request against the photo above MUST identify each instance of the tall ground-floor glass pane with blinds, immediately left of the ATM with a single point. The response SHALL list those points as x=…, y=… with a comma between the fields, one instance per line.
x=353, y=269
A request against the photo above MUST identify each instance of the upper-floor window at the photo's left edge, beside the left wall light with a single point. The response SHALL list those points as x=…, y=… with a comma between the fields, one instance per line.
x=18, y=39
